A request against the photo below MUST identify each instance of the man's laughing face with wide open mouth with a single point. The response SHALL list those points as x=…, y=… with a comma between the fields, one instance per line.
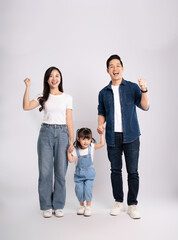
x=115, y=70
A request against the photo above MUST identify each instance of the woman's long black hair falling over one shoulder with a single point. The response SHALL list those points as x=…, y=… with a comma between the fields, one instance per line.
x=46, y=88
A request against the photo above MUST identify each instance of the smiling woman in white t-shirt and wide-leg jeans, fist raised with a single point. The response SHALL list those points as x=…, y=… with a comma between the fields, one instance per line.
x=55, y=137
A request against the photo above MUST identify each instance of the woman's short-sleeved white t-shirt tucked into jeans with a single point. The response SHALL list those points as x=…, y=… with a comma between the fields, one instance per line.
x=55, y=108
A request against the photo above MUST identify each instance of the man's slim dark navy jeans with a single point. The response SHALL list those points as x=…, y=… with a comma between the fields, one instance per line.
x=131, y=153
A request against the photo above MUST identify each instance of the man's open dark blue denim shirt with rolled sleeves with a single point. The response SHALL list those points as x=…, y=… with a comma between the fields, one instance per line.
x=130, y=97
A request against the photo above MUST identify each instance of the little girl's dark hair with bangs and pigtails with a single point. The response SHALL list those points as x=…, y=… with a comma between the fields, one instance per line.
x=83, y=133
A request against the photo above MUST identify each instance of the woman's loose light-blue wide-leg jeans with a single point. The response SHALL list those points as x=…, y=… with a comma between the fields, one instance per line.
x=52, y=147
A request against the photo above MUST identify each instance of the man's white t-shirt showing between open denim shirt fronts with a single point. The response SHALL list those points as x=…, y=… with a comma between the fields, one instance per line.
x=117, y=110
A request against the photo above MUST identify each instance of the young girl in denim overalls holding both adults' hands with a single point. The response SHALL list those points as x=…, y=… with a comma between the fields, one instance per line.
x=84, y=173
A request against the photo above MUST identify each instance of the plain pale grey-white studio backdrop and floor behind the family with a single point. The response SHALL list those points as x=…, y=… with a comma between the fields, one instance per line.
x=78, y=36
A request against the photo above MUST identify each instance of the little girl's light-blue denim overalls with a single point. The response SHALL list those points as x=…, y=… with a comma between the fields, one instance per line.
x=84, y=176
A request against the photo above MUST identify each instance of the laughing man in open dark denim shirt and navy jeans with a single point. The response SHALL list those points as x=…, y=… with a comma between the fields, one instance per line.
x=117, y=107
